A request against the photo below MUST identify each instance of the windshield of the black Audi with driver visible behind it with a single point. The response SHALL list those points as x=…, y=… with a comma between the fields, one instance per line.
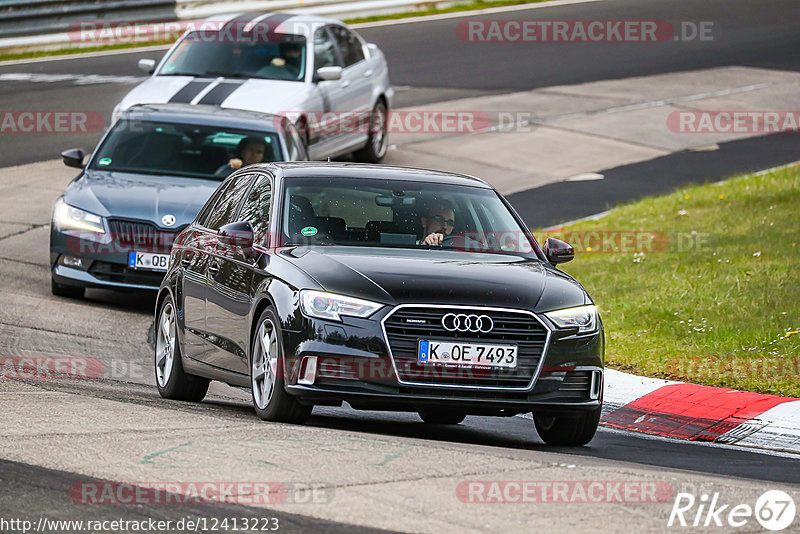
x=389, y=213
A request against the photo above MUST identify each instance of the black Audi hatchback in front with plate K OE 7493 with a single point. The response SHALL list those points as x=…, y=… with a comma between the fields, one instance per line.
x=387, y=288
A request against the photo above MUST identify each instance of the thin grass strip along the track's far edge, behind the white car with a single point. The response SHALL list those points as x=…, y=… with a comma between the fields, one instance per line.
x=478, y=4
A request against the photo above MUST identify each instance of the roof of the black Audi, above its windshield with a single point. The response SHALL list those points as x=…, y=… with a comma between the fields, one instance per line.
x=316, y=169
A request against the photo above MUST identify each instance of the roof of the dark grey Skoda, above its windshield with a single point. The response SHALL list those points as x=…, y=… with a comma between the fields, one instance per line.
x=204, y=115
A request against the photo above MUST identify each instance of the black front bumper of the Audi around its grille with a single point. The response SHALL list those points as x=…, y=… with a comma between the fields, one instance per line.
x=353, y=362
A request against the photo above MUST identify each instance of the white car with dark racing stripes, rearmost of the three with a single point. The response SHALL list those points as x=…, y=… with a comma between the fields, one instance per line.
x=314, y=70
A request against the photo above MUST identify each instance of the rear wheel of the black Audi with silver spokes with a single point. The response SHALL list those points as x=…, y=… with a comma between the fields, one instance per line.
x=171, y=379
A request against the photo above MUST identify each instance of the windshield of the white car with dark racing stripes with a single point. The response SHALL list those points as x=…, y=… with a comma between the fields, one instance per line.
x=272, y=56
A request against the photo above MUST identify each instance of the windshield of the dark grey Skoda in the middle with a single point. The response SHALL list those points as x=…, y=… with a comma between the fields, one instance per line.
x=162, y=148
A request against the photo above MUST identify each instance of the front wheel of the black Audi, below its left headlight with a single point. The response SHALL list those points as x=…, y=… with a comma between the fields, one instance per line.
x=267, y=371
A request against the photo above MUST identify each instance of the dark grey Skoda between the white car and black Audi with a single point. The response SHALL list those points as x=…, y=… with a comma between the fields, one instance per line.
x=149, y=176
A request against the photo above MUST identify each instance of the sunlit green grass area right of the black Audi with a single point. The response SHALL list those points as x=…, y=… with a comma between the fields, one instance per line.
x=714, y=298
